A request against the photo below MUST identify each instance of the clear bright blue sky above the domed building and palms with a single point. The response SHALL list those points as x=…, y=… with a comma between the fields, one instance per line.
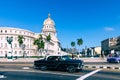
x=91, y=20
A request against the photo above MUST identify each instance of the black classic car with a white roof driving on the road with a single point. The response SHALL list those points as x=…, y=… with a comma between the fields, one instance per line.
x=60, y=63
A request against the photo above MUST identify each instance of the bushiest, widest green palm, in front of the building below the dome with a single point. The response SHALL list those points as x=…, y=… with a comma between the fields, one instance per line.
x=40, y=43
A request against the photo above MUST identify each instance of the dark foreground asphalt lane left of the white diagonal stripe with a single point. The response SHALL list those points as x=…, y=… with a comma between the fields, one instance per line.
x=14, y=75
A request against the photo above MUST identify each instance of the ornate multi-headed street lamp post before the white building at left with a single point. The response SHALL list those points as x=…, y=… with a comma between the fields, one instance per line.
x=9, y=40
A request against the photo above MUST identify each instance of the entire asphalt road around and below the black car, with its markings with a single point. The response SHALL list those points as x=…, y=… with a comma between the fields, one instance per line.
x=25, y=71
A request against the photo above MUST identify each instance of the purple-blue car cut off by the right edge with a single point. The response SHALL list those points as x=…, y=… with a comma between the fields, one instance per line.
x=114, y=58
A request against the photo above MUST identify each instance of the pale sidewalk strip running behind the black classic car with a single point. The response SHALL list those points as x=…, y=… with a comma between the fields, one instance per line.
x=32, y=60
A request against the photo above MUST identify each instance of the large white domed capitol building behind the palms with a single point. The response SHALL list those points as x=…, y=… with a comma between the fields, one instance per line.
x=29, y=49
